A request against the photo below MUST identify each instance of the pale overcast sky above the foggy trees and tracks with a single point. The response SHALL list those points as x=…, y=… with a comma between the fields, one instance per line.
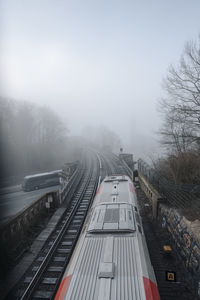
x=95, y=62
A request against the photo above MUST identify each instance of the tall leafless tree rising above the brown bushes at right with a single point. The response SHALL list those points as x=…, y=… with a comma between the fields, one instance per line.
x=181, y=106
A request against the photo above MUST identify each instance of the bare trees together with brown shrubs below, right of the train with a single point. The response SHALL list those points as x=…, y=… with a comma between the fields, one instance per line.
x=181, y=114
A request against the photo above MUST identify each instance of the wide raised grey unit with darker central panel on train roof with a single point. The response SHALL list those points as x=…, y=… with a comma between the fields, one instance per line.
x=112, y=217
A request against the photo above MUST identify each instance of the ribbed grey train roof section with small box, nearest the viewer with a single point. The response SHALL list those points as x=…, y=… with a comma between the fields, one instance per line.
x=108, y=268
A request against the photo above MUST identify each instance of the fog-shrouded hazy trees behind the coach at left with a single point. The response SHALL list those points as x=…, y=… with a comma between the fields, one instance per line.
x=32, y=138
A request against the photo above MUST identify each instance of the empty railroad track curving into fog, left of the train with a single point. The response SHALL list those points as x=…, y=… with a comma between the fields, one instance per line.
x=43, y=278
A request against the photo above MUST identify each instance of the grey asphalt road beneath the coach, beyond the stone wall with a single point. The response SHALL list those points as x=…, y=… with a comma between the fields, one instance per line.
x=13, y=199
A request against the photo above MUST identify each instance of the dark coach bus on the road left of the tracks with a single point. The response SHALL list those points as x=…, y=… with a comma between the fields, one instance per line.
x=42, y=180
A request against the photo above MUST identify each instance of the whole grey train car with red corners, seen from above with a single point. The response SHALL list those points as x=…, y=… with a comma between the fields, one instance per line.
x=111, y=260
